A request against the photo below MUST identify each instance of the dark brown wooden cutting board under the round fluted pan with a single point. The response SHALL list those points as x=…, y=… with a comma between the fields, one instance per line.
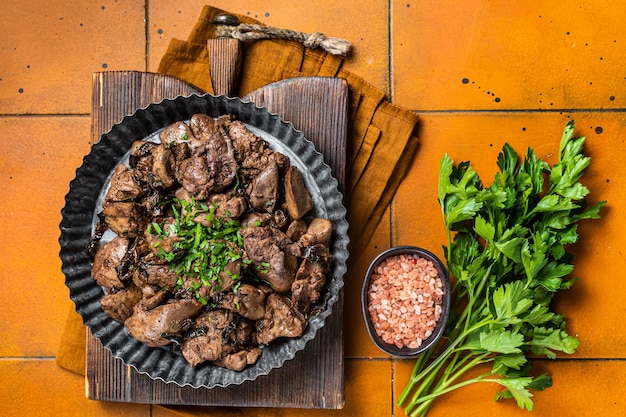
x=315, y=377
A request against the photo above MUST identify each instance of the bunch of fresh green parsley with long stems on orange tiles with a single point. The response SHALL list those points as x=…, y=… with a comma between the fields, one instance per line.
x=507, y=250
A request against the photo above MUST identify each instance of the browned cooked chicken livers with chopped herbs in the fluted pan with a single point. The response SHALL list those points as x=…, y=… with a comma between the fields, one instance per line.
x=216, y=251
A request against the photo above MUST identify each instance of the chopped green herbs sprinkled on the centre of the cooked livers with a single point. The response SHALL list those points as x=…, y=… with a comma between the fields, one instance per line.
x=198, y=250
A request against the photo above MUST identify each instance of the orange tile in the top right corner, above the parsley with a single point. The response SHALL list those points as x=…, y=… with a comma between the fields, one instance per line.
x=524, y=55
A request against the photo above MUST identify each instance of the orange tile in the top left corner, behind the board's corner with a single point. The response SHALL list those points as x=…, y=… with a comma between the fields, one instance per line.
x=50, y=49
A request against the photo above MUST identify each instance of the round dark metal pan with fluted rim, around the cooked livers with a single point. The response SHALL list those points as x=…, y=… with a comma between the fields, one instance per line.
x=84, y=201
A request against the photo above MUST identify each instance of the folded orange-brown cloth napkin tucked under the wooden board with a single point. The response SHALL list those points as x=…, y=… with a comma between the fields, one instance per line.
x=381, y=135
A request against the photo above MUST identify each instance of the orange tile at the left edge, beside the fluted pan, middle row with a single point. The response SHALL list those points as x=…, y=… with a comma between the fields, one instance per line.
x=40, y=155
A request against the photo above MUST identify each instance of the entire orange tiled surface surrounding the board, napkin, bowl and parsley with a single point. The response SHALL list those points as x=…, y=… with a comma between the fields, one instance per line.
x=478, y=73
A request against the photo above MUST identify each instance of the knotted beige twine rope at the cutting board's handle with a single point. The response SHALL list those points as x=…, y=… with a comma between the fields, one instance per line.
x=246, y=31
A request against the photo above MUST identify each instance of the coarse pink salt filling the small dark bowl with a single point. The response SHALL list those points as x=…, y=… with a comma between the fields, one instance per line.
x=405, y=300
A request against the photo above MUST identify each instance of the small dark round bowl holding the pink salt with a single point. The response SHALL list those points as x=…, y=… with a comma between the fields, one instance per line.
x=430, y=341
